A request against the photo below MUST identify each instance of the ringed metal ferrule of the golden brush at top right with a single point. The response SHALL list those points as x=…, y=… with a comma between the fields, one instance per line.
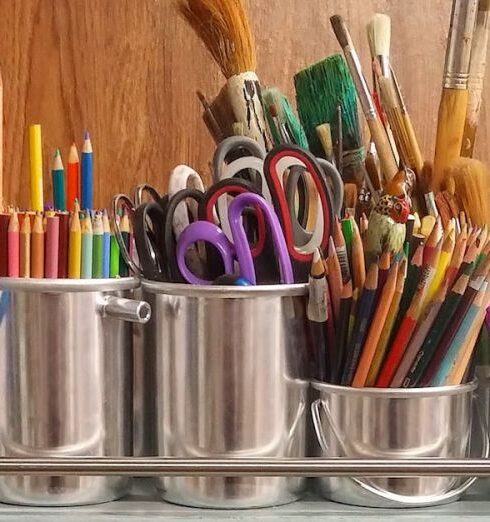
x=458, y=53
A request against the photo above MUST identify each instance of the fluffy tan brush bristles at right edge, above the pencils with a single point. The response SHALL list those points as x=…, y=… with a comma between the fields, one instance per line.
x=471, y=184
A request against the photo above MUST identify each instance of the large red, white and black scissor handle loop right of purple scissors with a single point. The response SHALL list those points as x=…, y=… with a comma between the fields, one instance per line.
x=277, y=166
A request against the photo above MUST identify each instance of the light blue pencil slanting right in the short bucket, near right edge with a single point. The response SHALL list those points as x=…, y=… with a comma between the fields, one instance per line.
x=448, y=364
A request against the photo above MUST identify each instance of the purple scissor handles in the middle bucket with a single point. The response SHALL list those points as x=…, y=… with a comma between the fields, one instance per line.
x=239, y=250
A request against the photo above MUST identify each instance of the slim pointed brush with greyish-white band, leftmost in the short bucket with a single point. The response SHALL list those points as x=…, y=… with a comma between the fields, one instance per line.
x=317, y=313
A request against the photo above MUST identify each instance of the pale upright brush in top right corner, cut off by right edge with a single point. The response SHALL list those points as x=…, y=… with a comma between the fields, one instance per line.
x=477, y=75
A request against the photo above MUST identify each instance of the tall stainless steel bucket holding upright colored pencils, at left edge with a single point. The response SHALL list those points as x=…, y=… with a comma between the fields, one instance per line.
x=66, y=382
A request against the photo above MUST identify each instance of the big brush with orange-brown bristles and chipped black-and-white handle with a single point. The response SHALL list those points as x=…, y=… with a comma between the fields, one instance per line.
x=224, y=28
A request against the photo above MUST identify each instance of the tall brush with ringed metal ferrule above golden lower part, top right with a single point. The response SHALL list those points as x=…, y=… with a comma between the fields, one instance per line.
x=454, y=99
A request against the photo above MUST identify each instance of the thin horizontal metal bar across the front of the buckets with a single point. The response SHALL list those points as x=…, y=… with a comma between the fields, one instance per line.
x=339, y=467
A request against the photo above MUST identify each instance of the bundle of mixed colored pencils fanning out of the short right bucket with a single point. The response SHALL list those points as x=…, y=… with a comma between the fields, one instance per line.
x=414, y=318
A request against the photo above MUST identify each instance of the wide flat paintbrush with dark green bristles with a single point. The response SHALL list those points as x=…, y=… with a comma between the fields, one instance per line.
x=320, y=89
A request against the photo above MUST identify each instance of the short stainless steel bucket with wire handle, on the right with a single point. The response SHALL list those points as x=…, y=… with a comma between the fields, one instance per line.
x=395, y=423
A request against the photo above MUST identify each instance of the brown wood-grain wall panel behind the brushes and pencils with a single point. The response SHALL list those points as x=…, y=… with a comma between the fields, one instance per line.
x=128, y=71
